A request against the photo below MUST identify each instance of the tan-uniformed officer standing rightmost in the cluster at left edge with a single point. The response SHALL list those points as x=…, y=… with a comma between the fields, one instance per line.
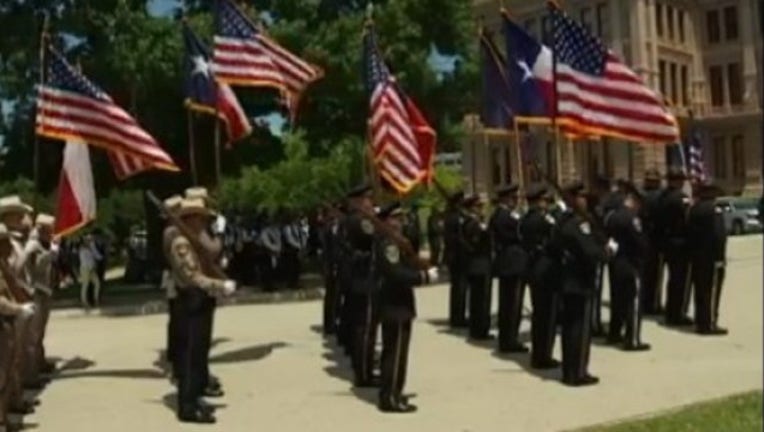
x=41, y=253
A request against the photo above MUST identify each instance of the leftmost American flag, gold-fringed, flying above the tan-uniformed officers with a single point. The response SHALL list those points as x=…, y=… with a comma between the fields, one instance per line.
x=71, y=108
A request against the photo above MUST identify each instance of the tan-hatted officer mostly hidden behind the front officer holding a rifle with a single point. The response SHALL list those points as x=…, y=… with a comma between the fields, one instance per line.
x=213, y=245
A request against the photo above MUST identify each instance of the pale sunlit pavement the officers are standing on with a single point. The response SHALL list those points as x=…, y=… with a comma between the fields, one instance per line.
x=280, y=375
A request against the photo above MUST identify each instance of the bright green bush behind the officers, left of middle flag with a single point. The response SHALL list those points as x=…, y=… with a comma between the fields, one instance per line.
x=297, y=183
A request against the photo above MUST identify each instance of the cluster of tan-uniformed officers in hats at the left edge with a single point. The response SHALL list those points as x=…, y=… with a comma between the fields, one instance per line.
x=27, y=280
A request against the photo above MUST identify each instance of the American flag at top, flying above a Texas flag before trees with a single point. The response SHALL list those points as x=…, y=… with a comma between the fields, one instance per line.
x=244, y=55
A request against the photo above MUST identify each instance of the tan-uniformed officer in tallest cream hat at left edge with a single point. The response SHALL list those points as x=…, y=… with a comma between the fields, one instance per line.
x=16, y=216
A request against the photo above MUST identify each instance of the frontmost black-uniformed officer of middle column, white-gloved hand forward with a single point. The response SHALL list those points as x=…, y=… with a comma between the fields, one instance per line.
x=397, y=310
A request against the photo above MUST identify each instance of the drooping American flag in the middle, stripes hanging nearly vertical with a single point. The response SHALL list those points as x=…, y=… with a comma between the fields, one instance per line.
x=402, y=141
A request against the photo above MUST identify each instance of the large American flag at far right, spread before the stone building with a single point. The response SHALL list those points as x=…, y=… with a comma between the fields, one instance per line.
x=599, y=95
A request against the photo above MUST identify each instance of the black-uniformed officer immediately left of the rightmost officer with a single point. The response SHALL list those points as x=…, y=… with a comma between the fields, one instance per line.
x=672, y=228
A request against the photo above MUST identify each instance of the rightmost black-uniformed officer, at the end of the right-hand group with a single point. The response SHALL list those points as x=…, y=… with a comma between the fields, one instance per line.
x=707, y=241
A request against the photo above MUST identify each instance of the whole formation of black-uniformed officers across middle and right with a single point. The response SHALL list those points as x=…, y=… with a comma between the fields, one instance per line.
x=558, y=248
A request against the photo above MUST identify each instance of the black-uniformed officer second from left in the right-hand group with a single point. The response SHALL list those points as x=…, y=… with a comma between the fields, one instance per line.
x=477, y=242
